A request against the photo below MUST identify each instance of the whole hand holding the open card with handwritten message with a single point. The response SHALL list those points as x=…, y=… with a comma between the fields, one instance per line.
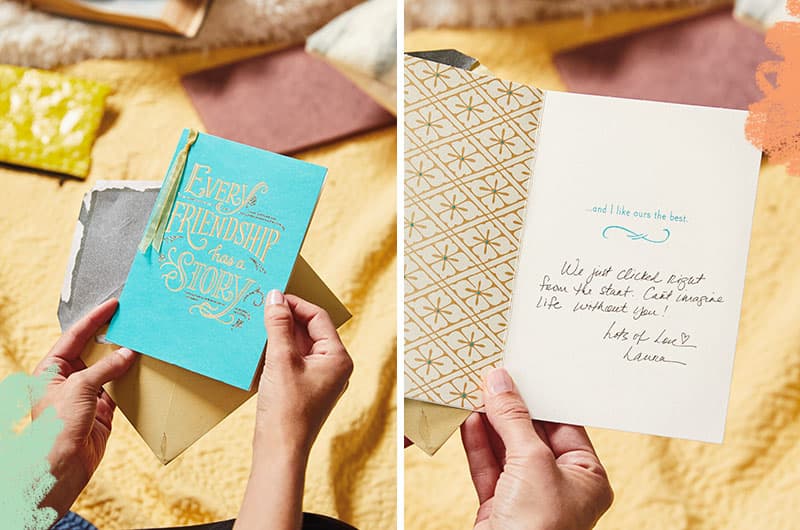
x=531, y=474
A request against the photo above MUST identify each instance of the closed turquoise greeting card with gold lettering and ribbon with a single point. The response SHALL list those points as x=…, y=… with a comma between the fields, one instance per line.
x=226, y=229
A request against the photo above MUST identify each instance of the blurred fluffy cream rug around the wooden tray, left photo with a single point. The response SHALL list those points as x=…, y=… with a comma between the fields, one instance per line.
x=33, y=38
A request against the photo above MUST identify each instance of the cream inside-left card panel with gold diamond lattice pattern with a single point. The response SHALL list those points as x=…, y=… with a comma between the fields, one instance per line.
x=469, y=149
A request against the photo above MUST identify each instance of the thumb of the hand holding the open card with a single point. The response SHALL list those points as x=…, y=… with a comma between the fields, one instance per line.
x=508, y=413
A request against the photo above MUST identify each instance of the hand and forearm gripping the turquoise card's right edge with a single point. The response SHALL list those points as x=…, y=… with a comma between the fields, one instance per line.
x=306, y=370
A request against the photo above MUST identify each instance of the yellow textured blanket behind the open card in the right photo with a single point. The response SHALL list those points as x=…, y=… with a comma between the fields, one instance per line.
x=749, y=482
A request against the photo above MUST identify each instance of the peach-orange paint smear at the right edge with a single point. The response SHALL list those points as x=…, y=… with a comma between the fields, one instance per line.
x=773, y=123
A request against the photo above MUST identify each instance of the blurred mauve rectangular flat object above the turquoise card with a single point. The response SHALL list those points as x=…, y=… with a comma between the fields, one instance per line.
x=258, y=101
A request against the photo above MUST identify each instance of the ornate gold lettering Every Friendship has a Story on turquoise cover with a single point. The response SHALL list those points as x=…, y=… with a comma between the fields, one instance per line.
x=207, y=216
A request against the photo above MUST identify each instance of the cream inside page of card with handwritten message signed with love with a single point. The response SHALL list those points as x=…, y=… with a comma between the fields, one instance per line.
x=629, y=283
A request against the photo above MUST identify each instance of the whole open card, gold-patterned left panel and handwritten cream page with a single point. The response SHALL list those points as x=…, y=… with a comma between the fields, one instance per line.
x=594, y=246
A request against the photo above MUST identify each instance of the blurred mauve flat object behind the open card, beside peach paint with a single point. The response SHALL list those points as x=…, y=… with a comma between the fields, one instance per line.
x=705, y=60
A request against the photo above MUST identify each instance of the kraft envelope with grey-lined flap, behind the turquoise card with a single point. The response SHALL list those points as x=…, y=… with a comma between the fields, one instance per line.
x=112, y=219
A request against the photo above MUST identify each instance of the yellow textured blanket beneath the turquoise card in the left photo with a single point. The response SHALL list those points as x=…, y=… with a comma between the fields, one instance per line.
x=351, y=244
